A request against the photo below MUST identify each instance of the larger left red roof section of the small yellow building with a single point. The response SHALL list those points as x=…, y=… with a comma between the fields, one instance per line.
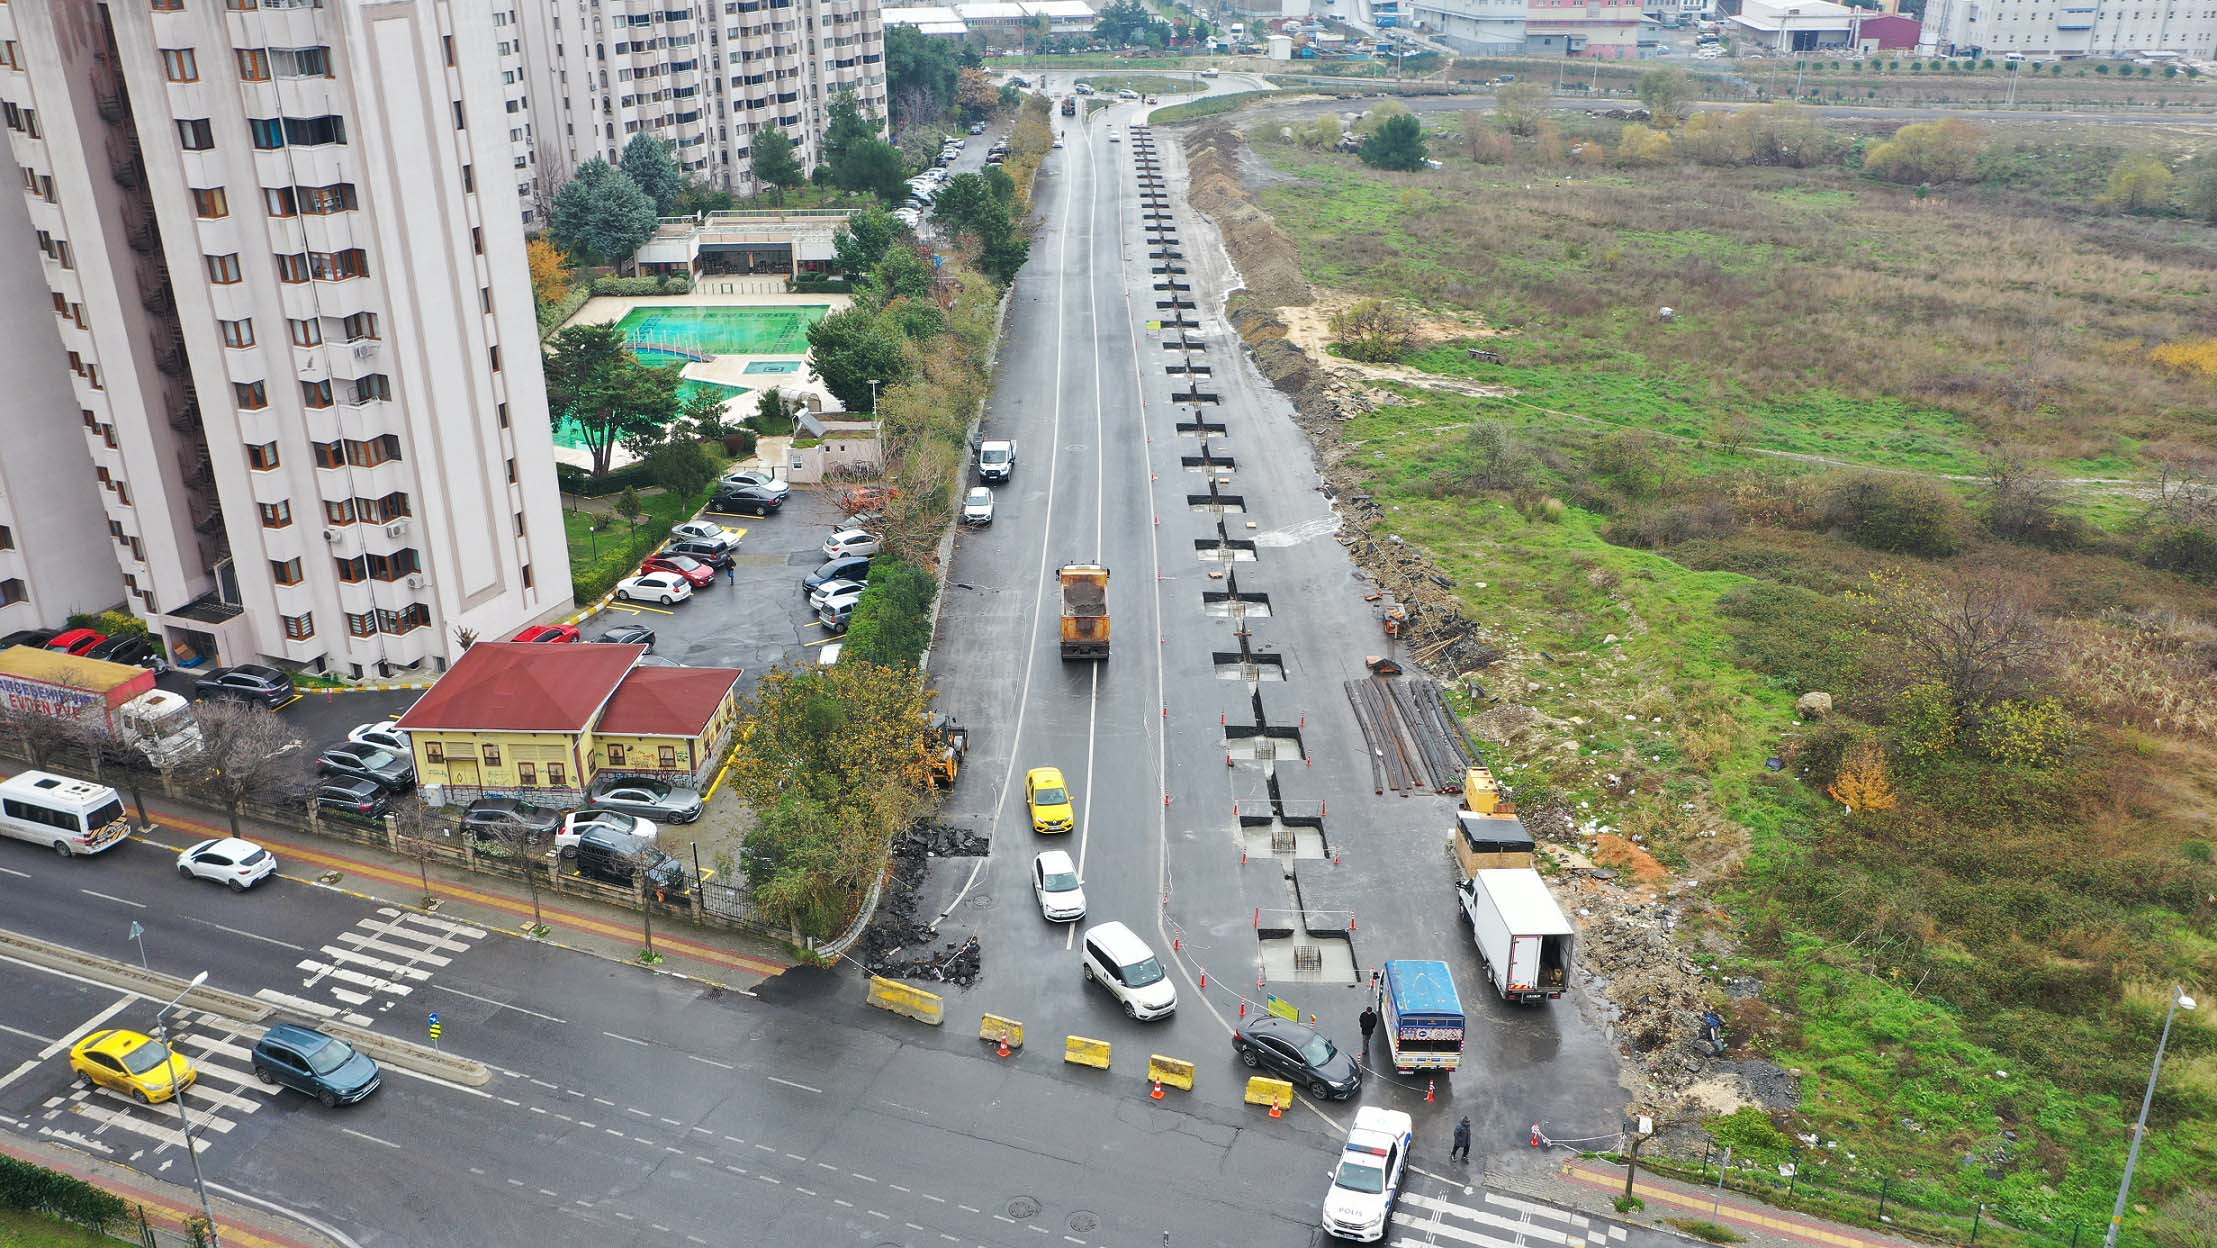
x=520, y=686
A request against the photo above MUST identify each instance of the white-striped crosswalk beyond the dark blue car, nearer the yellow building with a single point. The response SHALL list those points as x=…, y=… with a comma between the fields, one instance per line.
x=376, y=965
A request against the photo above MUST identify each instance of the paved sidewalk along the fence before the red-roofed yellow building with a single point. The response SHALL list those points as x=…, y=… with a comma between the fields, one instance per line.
x=495, y=903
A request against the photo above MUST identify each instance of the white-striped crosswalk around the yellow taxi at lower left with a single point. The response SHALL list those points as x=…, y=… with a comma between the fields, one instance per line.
x=116, y=1125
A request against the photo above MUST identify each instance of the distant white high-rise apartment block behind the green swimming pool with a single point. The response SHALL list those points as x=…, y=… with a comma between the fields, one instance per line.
x=697, y=74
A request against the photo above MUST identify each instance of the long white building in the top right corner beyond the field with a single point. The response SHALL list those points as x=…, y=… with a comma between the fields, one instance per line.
x=2070, y=30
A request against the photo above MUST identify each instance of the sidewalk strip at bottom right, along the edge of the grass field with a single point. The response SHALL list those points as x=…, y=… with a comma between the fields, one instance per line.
x=1591, y=1187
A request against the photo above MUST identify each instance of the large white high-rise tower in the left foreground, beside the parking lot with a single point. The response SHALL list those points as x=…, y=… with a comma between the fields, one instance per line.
x=285, y=263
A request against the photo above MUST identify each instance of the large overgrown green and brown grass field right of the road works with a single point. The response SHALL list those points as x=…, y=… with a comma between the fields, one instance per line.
x=1972, y=981
